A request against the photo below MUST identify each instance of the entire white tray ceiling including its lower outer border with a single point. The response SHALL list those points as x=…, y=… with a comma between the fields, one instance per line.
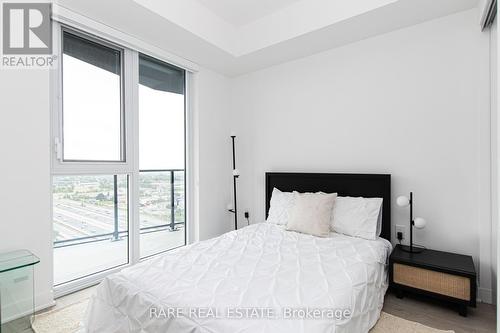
x=301, y=28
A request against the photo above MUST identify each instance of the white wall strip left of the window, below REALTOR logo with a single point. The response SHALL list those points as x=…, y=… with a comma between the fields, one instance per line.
x=25, y=171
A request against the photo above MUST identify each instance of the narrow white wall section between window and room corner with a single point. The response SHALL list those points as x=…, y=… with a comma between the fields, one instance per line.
x=213, y=176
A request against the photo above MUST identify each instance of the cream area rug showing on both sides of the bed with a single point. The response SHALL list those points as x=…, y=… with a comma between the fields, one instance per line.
x=67, y=320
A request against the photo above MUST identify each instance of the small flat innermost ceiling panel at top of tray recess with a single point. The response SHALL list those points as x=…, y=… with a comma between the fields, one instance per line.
x=242, y=12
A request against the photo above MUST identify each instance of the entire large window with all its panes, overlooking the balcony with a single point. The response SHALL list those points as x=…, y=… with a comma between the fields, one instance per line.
x=119, y=189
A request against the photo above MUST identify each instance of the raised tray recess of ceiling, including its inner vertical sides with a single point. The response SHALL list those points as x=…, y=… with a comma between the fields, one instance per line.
x=242, y=27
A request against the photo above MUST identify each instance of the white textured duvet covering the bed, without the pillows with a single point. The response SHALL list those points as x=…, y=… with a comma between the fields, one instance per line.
x=258, y=274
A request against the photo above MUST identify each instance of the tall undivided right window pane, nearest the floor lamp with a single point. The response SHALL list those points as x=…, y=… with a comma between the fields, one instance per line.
x=161, y=156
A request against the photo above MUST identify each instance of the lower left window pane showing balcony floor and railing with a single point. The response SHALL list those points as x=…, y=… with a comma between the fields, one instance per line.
x=90, y=225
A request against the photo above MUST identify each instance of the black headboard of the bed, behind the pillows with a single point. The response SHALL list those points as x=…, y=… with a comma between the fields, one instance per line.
x=352, y=185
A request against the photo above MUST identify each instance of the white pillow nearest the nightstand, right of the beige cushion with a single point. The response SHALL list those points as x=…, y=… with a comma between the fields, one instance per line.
x=357, y=217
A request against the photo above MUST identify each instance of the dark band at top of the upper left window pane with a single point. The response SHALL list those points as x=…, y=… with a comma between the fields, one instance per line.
x=92, y=53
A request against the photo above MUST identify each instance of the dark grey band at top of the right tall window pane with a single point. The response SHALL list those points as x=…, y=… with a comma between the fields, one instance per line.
x=159, y=75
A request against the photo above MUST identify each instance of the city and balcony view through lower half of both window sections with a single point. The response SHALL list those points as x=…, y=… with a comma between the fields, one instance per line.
x=90, y=223
